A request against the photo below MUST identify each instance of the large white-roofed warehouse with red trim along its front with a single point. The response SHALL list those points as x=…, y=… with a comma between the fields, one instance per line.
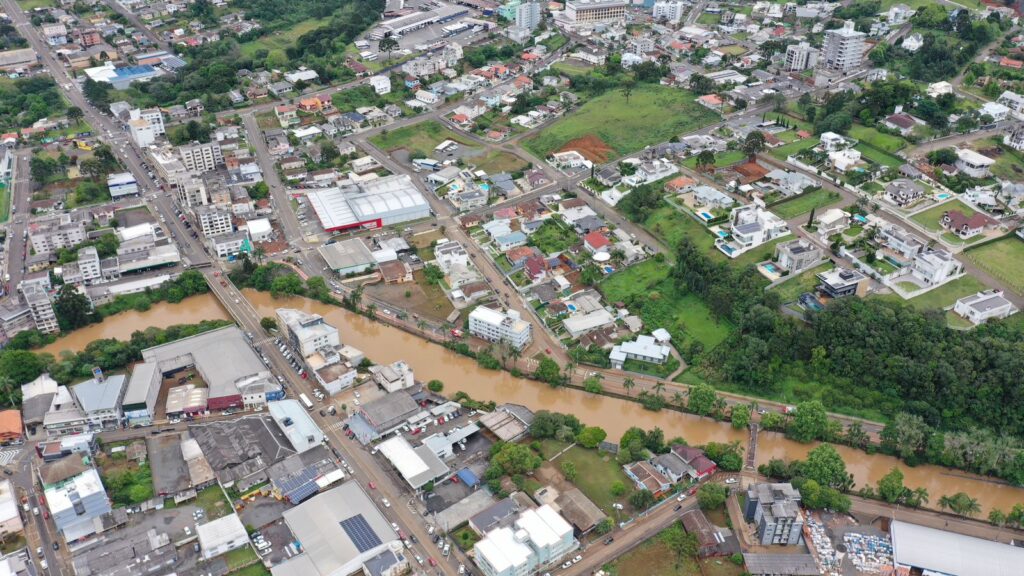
x=370, y=204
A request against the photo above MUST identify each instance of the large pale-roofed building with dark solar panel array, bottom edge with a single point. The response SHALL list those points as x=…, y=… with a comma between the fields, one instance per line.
x=342, y=532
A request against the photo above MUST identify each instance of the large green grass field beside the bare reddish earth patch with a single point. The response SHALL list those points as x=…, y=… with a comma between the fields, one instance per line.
x=654, y=114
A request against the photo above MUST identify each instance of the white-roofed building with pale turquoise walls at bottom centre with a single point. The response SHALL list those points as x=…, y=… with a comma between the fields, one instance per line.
x=538, y=539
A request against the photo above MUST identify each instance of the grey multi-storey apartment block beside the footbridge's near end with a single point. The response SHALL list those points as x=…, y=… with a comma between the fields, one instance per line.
x=776, y=511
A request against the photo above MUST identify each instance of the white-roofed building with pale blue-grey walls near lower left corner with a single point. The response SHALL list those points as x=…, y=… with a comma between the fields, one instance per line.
x=77, y=505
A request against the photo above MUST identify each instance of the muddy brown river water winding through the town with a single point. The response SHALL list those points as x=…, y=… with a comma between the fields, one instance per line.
x=386, y=345
